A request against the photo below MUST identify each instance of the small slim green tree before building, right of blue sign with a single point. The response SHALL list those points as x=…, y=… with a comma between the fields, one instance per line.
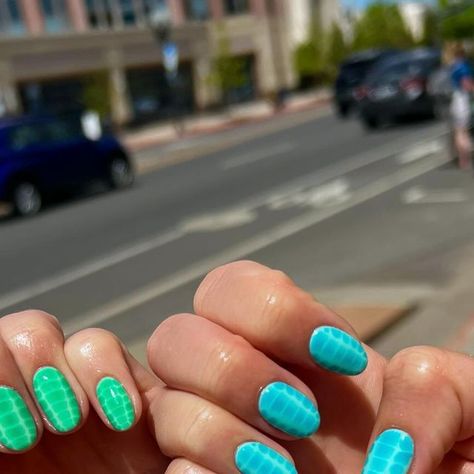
x=228, y=72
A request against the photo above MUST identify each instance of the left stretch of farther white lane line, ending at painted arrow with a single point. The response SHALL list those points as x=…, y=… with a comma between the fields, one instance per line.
x=87, y=269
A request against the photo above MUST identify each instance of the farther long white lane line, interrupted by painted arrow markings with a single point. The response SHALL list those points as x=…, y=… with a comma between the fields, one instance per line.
x=323, y=175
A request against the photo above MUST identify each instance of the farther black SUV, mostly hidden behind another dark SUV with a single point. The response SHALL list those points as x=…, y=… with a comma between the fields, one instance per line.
x=352, y=73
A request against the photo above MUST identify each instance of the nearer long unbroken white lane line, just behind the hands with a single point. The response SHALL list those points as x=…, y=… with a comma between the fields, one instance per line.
x=259, y=242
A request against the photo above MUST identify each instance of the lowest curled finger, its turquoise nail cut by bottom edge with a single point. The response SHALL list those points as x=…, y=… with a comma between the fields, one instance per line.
x=187, y=426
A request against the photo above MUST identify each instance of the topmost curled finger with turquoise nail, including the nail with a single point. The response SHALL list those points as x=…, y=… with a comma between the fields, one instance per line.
x=274, y=315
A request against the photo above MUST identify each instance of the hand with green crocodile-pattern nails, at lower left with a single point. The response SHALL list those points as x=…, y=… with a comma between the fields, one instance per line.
x=74, y=406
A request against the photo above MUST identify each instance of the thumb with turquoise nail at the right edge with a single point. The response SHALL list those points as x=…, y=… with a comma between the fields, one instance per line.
x=426, y=407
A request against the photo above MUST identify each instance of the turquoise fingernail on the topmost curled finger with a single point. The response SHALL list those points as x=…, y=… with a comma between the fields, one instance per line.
x=337, y=351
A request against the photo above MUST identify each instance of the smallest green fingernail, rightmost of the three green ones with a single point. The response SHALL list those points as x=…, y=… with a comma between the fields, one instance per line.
x=115, y=403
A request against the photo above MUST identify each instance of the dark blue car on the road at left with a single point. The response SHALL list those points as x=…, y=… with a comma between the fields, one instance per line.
x=43, y=156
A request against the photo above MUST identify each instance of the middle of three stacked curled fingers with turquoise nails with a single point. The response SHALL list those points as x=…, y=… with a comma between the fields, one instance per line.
x=198, y=356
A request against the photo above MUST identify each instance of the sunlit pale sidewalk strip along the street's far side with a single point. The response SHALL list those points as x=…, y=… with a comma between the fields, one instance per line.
x=207, y=123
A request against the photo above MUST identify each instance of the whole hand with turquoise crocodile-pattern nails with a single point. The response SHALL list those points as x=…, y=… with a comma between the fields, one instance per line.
x=253, y=327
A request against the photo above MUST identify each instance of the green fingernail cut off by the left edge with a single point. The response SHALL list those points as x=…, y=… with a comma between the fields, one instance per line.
x=17, y=425
